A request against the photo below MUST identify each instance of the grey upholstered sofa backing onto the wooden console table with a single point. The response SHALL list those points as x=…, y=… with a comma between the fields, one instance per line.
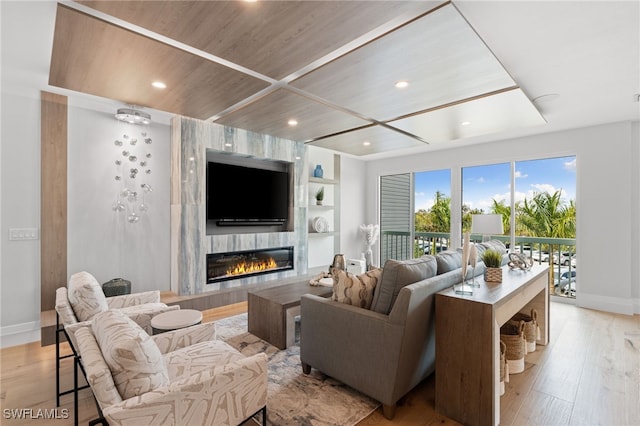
x=384, y=351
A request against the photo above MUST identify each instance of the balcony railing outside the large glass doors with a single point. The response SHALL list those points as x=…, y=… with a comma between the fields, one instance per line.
x=559, y=253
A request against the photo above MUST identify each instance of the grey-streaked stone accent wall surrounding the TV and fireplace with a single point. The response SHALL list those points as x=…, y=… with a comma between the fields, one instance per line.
x=190, y=243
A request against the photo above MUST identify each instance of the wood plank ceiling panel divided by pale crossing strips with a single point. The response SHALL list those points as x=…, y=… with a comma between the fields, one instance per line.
x=330, y=65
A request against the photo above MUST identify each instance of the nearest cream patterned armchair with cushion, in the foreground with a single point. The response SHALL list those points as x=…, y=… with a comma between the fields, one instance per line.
x=180, y=377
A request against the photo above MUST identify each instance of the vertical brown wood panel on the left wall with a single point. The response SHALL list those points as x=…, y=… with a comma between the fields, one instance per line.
x=53, y=199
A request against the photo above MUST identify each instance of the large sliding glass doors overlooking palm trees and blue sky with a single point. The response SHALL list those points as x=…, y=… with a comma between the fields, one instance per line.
x=536, y=199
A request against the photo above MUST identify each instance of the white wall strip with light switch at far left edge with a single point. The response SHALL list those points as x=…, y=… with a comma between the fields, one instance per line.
x=20, y=170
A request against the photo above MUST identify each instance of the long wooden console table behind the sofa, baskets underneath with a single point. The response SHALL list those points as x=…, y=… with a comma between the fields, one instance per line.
x=468, y=339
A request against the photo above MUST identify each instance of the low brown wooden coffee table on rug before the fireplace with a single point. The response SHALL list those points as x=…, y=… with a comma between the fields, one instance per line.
x=272, y=311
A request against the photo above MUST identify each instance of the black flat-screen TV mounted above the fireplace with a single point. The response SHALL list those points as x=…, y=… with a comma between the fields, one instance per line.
x=239, y=195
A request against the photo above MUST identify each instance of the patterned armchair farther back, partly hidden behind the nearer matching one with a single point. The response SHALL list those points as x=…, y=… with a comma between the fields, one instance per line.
x=78, y=303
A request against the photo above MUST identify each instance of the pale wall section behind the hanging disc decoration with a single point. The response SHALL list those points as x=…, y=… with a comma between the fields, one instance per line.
x=100, y=240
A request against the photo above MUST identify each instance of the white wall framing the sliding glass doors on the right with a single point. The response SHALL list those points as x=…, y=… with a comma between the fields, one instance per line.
x=607, y=200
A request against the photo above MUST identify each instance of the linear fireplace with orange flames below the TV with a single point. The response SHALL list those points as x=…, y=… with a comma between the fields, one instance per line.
x=241, y=264
